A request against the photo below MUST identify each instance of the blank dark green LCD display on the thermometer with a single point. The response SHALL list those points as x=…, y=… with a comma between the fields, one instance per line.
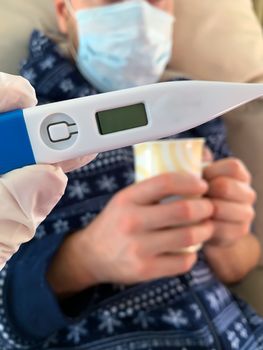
x=123, y=118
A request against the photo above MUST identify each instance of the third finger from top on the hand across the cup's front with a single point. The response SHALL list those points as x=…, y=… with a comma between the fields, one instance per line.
x=172, y=240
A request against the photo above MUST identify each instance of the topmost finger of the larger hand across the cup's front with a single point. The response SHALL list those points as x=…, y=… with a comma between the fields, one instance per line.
x=170, y=184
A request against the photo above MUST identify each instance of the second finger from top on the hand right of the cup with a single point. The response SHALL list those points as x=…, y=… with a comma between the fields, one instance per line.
x=232, y=190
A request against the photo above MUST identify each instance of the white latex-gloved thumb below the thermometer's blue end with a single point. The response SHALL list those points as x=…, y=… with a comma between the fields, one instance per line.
x=27, y=196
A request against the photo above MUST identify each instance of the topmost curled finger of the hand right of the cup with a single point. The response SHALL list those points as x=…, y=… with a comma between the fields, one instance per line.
x=229, y=167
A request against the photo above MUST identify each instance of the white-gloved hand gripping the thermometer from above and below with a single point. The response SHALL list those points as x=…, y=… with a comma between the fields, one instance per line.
x=27, y=195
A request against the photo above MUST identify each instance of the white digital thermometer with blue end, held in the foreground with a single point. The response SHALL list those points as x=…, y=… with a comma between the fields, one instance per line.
x=68, y=129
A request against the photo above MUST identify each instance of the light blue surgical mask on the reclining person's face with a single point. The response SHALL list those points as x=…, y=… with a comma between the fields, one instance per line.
x=123, y=45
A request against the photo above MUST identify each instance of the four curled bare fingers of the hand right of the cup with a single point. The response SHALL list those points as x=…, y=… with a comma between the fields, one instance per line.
x=233, y=198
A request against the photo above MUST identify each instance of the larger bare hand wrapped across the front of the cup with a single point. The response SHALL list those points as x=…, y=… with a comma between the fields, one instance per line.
x=136, y=238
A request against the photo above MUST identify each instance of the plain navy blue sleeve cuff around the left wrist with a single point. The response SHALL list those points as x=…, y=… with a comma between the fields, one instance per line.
x=33, y=310
